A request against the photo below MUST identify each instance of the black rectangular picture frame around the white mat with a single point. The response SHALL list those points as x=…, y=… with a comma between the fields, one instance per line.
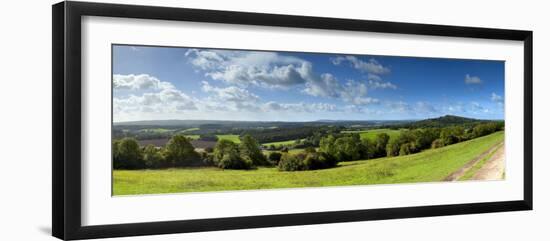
x=66, y=136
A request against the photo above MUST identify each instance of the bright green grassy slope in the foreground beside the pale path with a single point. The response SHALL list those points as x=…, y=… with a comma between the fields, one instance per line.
x=427, y=166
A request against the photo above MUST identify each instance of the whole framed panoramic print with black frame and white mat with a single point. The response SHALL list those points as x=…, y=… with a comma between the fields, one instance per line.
x=169, y=120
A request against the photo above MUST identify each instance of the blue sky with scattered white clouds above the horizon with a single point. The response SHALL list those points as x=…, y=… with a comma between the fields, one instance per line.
x=154, y=83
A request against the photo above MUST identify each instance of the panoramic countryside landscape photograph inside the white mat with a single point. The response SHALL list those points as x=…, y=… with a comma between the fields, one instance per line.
x=187, y=119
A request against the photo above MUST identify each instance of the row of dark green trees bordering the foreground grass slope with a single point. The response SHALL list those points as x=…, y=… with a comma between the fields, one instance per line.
x=331, y=149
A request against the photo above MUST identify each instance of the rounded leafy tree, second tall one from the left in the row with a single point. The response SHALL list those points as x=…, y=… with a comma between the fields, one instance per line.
x=180, y=153
